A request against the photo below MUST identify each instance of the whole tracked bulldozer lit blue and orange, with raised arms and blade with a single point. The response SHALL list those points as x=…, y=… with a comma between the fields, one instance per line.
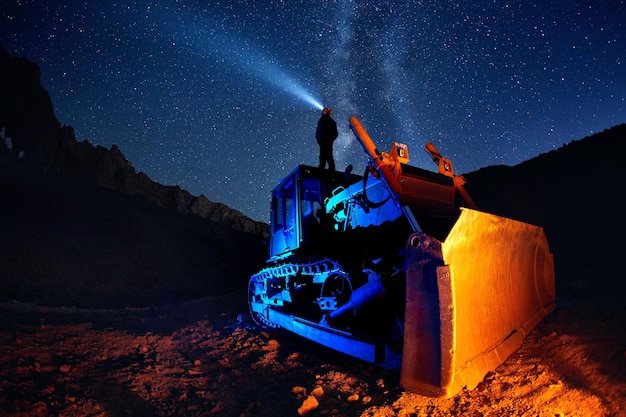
x=398, y=267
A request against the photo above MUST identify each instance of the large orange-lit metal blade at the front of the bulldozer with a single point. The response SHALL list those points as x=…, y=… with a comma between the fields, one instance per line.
x=471, y=300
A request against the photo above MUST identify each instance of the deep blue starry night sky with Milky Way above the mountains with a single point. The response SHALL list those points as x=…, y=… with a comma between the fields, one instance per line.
x=222, y=97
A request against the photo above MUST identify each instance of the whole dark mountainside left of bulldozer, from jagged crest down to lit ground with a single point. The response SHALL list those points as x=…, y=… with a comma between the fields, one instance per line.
x=80, y=227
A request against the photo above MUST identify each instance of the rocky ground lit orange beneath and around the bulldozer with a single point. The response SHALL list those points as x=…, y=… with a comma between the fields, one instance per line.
x=203, y=358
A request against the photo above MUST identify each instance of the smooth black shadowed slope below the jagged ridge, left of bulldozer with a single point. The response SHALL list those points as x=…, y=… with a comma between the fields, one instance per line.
x=69, y=243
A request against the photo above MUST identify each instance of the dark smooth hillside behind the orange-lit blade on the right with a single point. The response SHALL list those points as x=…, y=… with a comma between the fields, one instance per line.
x=575, y=194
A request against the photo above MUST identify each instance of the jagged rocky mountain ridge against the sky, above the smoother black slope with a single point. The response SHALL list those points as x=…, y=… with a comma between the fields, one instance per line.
x=32, y=134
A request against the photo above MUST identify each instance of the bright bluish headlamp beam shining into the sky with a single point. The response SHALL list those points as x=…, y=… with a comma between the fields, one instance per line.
x=240, y=53
